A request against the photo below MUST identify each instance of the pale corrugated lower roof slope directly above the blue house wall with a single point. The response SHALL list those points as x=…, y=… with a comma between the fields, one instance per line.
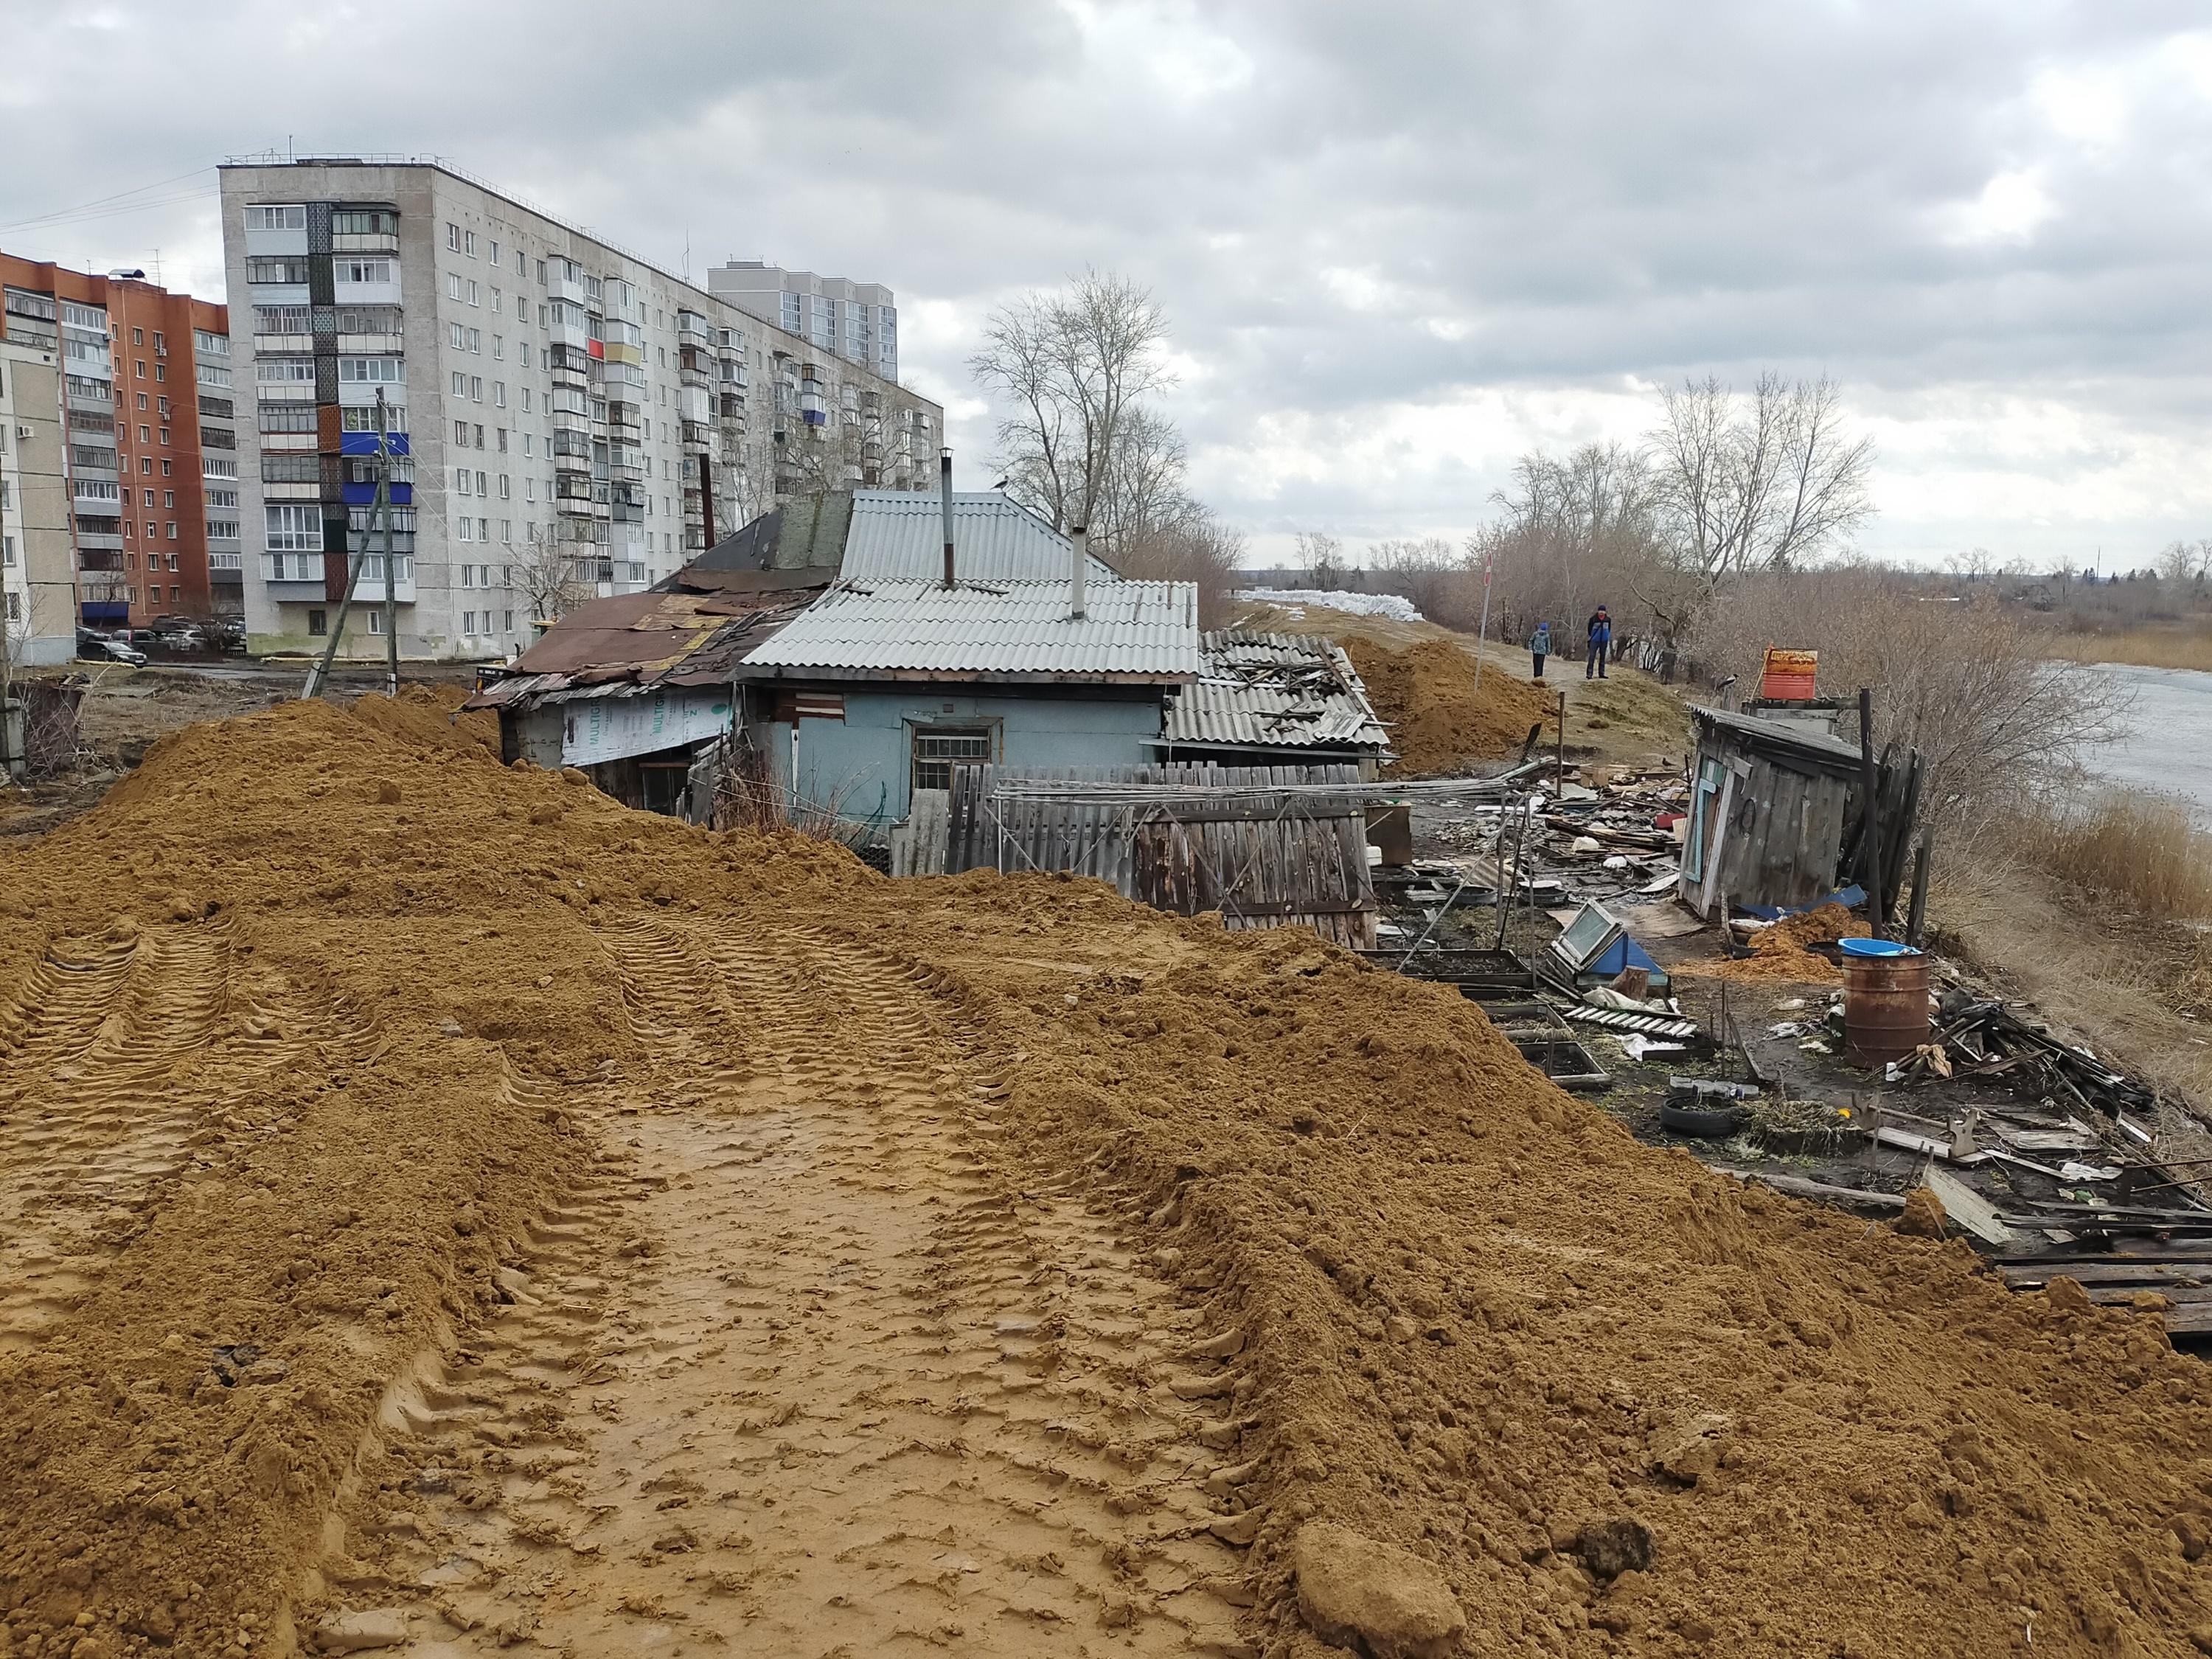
x=1134, y=632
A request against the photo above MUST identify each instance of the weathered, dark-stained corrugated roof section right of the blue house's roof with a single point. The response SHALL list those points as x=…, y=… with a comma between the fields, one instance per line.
x=1275, y=691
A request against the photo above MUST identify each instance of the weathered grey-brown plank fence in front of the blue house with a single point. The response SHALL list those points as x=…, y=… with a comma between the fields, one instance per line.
x=1262, y=864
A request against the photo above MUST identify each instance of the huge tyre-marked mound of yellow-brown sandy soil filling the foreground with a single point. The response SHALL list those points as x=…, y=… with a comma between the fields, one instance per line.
x=437, y=1196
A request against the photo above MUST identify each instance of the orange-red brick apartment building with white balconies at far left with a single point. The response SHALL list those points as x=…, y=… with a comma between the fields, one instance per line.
x=149, y=450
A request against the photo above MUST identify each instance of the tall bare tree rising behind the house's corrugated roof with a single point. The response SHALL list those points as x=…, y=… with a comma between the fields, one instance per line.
x=1076, y=371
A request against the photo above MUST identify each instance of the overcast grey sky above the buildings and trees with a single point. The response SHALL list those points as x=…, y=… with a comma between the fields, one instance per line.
x=1397, y=244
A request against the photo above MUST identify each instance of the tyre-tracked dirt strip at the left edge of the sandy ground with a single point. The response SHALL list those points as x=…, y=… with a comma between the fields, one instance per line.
x=114, y=1063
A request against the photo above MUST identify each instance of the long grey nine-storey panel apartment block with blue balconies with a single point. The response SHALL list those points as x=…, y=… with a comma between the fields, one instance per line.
x=565, y=419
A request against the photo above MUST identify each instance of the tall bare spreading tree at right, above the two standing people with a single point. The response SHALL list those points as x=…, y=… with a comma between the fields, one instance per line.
x=1764, y=481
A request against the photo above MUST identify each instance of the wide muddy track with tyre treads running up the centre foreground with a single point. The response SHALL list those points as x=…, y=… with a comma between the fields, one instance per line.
x=802, y=1370
